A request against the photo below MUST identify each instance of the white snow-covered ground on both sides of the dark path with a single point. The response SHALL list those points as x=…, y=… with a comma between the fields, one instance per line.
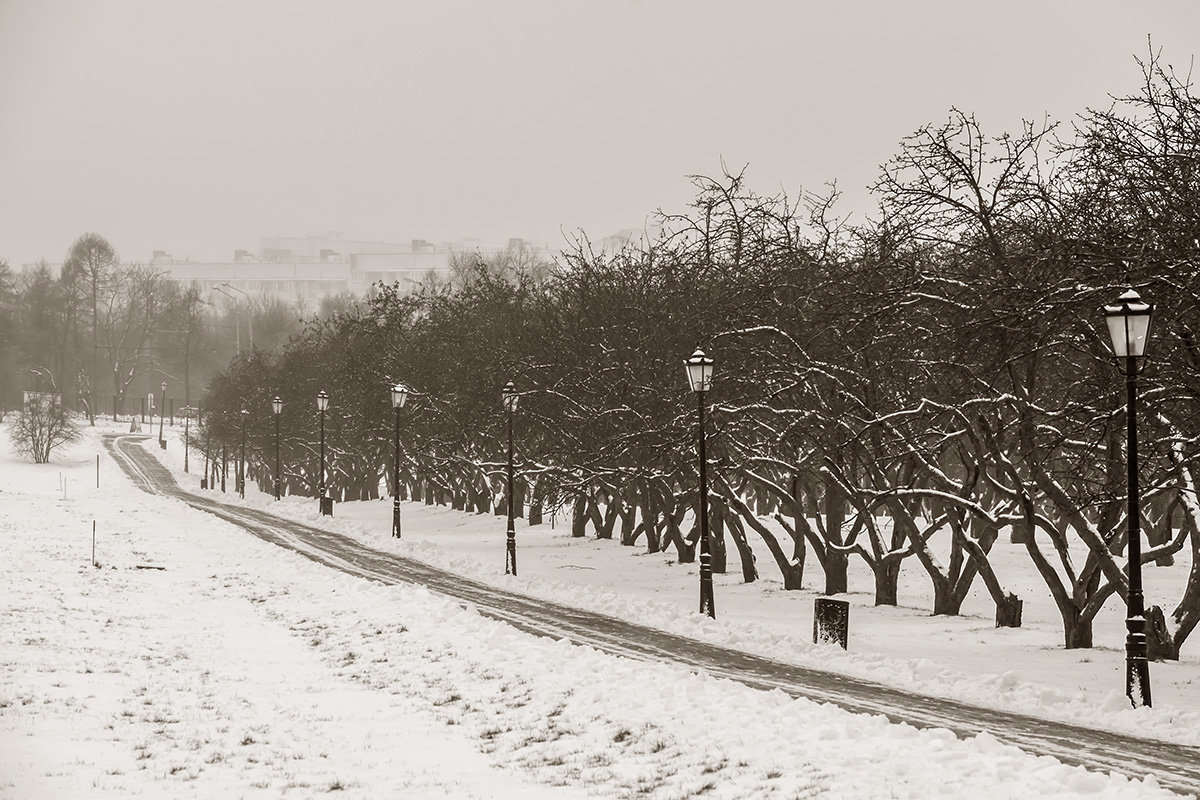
x=197, y=661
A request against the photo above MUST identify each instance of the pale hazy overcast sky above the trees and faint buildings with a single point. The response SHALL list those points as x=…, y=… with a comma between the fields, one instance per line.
x=199, y=127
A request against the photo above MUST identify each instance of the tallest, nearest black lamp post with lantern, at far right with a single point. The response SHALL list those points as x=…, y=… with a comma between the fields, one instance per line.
x=1129, y=322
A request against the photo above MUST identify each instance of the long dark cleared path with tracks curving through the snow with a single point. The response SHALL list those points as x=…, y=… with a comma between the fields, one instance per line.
x=1177, y=766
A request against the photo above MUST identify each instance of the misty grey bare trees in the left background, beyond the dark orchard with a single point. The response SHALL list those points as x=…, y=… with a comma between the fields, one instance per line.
x=104, y=334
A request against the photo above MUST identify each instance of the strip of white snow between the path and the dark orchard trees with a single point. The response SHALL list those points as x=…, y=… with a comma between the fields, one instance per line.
x=967, y=658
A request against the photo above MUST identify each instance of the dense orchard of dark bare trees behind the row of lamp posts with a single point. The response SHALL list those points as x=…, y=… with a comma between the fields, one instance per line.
x=902, y=390
